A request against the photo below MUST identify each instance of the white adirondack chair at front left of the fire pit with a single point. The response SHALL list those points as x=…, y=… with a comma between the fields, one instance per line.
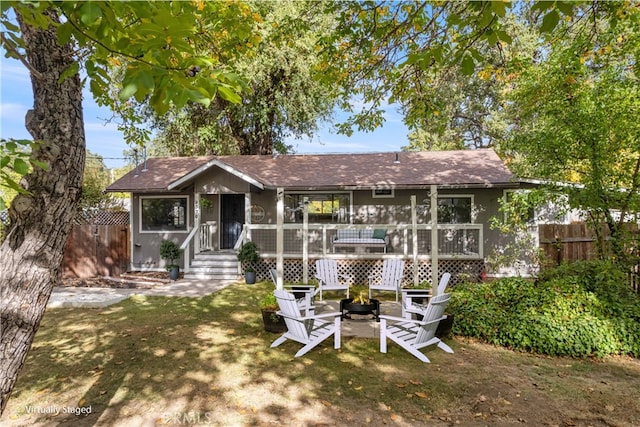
x=309, y=330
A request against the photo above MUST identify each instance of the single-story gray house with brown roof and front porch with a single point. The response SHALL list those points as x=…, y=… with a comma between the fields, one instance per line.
x=358, y=208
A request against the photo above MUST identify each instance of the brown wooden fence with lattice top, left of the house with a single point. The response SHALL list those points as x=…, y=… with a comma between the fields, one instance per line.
x=98, y=246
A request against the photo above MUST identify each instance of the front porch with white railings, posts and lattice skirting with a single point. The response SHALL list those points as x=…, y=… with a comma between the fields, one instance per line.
x=292, y=248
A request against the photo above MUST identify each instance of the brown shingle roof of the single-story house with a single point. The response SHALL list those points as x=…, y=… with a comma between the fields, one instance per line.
x=414, y=169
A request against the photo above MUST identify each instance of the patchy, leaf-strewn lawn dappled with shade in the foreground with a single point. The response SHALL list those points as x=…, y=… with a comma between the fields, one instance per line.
x=207, y=361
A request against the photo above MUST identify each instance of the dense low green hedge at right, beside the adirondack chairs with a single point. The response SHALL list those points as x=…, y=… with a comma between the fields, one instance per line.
x=579, y=310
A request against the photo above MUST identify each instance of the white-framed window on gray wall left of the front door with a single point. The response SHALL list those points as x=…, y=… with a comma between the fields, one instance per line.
x=163, y=214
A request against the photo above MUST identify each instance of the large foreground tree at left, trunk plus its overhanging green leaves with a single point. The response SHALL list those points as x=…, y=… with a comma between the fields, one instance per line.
x=158, y=42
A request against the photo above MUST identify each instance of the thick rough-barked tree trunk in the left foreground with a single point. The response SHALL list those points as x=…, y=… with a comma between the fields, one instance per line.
x=31, y=255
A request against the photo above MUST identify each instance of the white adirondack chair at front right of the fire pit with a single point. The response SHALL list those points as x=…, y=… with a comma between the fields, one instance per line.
x=412, y=335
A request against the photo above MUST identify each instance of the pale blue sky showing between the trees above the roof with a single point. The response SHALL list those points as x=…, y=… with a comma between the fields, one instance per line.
x=103, y=138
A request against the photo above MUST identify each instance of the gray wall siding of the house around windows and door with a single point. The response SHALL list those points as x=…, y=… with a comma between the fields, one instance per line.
x=365, y=209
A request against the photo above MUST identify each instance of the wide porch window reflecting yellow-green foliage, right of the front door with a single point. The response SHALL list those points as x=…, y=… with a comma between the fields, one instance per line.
x=332, y=208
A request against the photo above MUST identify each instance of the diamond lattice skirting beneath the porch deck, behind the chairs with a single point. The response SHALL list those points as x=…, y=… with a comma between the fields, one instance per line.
x=360, y=270
